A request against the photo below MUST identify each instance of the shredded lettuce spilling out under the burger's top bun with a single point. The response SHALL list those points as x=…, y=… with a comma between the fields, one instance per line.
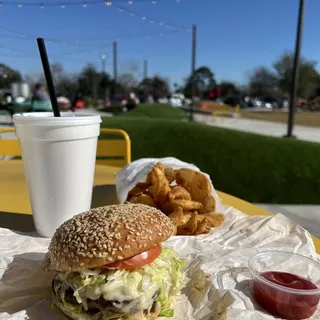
x=158, y=281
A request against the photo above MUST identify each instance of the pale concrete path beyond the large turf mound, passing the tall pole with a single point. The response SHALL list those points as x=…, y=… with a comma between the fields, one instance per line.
x=262, y=127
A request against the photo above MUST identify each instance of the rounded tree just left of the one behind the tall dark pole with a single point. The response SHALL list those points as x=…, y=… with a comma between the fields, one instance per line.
x=263, y=83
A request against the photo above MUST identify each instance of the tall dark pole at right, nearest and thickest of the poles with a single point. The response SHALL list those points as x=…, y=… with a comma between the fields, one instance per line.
x=295, y=71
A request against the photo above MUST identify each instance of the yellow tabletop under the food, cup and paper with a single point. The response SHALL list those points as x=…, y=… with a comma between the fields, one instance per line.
x=16, y=210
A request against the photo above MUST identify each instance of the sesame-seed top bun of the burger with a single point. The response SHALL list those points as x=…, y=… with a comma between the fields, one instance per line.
x=105, y=235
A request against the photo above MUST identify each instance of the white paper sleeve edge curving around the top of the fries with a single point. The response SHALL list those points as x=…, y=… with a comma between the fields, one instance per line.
x=137, y=171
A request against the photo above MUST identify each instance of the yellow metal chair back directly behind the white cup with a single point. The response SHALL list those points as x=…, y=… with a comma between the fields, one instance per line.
x=112, y=152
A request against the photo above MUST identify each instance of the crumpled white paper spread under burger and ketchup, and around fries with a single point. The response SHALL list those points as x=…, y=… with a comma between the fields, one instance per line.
x=218, y=282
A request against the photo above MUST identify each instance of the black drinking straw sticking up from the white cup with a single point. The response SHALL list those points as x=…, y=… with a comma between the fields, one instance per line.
x=48, y=75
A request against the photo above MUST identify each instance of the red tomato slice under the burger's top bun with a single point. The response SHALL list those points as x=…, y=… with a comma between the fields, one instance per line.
x=137, y=261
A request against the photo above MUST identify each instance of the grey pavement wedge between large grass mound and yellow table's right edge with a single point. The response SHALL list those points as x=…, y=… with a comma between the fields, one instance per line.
x=306, y=215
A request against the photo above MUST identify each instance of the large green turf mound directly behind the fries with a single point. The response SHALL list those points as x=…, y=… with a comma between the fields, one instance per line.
x=253, y=167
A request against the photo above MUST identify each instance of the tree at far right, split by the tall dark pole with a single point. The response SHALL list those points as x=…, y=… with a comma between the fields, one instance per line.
x=309, y=78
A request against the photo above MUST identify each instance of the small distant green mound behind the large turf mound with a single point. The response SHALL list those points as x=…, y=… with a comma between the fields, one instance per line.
x=155, y=111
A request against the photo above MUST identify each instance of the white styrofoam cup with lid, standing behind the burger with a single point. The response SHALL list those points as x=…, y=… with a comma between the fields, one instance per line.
x=59, y=156
